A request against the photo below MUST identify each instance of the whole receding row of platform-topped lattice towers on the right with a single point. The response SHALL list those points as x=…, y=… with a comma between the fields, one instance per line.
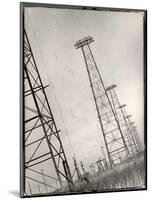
x=119, y=132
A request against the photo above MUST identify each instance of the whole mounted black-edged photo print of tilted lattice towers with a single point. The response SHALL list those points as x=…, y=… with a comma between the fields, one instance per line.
x=83, y=99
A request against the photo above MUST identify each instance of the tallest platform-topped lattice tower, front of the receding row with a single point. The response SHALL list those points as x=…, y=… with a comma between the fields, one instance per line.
x=114, y=140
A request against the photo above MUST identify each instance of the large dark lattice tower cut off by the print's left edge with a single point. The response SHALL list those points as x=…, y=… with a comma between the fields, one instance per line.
x=42, y=143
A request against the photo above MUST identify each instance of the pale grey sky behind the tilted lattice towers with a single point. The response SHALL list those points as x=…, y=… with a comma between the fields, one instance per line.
x=118, y=51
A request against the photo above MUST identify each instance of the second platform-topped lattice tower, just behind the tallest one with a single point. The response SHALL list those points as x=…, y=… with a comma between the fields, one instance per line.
x=119, y=111
